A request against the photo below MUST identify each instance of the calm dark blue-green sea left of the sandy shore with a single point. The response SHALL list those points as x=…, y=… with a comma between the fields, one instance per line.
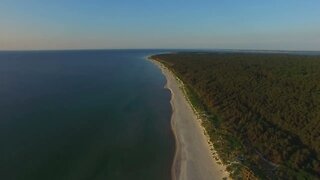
x=84, y=115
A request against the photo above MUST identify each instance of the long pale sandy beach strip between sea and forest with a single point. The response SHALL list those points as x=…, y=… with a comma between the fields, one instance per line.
x=194, y=153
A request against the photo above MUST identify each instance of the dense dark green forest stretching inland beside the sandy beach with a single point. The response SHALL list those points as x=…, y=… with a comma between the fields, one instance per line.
x=262, y=111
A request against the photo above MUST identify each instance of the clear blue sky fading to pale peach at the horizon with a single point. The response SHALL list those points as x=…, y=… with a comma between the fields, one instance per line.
x=140, y=24
